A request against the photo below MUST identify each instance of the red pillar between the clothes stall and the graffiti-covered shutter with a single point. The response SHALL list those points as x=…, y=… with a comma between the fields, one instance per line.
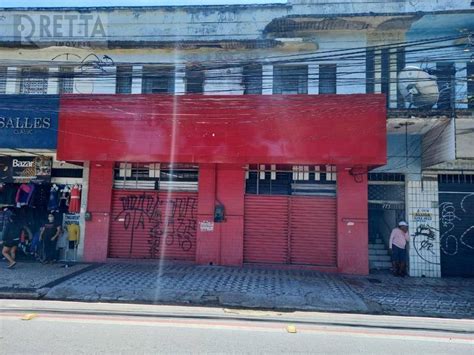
x=99, y=202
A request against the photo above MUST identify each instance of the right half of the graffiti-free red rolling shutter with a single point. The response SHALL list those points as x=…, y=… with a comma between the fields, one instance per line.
x=313, y=230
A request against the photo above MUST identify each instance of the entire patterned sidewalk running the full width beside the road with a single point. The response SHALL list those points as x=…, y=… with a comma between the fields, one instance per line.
x=248, y=287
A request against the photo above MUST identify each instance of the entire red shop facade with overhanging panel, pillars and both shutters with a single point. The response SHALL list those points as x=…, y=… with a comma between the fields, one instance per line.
x=222, y=136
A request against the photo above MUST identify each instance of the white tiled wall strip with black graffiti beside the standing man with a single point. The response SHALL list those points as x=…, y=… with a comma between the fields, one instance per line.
x=423, y=221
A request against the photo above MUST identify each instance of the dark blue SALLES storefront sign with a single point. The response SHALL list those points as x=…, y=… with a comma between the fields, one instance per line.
x=29, y=121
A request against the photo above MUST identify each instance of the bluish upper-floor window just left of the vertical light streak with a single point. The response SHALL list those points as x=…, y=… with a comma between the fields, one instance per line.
x=158, y=80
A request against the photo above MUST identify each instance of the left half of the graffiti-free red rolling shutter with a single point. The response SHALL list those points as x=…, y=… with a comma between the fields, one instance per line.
x=266, y=229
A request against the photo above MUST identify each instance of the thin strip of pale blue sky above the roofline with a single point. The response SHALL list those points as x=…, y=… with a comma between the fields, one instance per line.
x=98, y=3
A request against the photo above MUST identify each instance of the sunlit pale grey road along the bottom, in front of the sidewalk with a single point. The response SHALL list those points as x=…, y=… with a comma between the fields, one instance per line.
x=120, y=329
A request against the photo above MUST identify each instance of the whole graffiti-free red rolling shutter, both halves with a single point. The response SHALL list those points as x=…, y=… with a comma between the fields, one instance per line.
x=290, y=230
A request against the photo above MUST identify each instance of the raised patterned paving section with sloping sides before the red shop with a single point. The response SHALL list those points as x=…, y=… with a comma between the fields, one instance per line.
x=227, y=286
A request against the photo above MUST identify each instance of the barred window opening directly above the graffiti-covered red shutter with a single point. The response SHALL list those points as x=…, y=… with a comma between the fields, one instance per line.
x=156, y=176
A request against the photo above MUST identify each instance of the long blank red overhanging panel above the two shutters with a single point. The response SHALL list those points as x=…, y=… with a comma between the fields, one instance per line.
x=300, y=129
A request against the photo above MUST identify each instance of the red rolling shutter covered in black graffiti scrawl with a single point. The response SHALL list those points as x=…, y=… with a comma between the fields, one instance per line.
x=150, y=224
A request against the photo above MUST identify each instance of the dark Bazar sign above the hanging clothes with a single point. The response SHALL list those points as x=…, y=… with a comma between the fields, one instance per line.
x=25, y=169
